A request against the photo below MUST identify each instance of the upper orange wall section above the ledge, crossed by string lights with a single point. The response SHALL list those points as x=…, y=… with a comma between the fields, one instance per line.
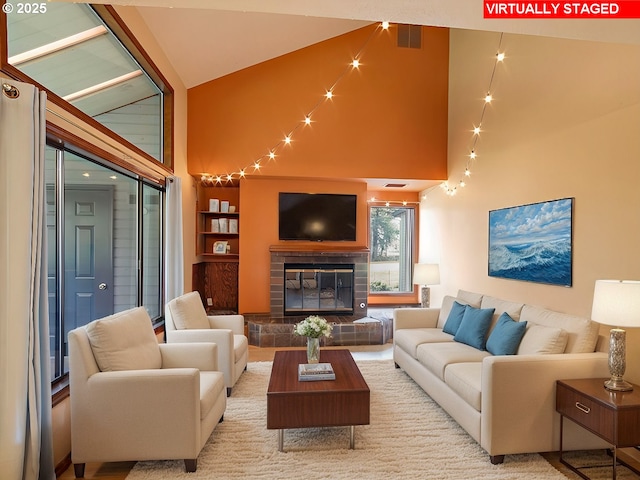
x=388, y=118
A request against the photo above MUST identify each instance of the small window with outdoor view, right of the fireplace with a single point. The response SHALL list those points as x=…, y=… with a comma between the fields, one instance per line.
x=392, y=245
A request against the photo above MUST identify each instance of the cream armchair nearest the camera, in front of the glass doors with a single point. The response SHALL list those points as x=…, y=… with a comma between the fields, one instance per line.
x=135, y=399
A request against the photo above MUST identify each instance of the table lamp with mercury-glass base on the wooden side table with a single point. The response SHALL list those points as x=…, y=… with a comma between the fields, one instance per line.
x=617, y=303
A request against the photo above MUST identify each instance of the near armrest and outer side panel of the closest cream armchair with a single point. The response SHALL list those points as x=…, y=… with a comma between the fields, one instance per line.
x=135, y=405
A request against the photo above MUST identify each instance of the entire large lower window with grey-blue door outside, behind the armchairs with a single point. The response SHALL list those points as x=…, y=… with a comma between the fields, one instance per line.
x=104, y=245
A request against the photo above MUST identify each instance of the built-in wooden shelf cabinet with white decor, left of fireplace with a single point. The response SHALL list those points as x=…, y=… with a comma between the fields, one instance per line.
x=217, y=244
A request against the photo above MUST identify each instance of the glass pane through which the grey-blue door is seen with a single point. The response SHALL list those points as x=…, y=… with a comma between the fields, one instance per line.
x=100, y=242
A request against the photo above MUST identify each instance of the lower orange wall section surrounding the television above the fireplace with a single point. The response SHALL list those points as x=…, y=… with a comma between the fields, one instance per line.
x=259, y=231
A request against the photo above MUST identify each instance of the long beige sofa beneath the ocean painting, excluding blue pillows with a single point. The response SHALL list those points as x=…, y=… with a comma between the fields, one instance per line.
x=505, y=402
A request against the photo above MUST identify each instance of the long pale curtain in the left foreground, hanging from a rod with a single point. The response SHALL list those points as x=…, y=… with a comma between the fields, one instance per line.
x=26, y=450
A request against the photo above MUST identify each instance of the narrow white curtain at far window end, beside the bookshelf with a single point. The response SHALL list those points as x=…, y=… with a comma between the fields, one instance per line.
x=174, y=260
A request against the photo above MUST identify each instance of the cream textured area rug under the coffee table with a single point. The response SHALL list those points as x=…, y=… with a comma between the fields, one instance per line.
x=410, y=436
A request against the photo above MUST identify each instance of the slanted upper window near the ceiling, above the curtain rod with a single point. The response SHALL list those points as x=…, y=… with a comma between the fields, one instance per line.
x=73, y=52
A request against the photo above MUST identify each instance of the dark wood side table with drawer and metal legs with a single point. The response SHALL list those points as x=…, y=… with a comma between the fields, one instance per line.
x=612, y=416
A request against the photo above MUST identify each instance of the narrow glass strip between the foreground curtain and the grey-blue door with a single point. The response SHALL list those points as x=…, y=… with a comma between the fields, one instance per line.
x=52, y=265
